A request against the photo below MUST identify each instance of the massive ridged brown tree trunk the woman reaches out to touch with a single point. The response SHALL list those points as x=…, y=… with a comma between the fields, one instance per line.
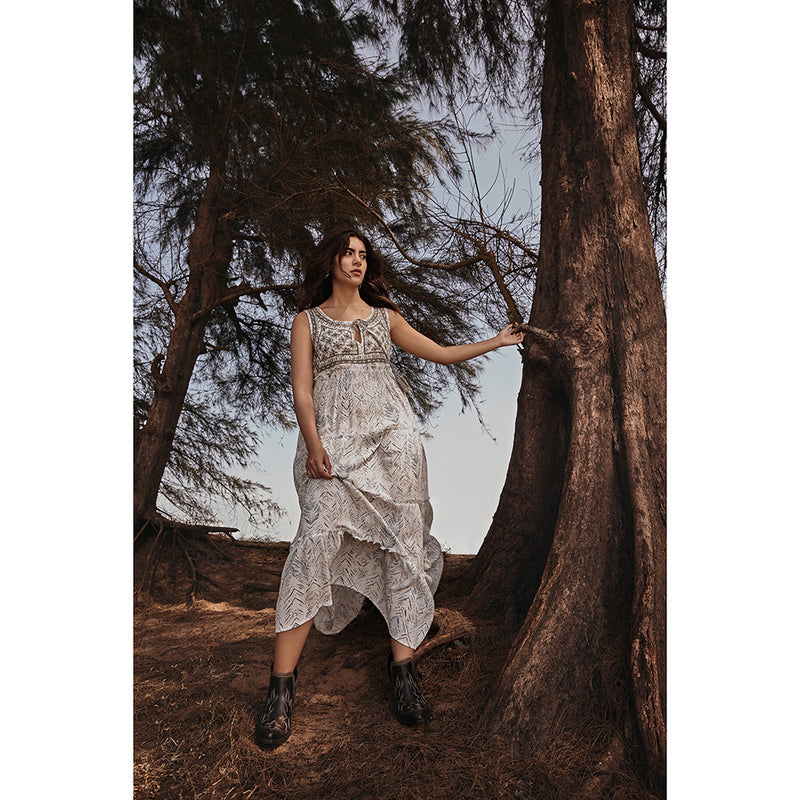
x=581, y=525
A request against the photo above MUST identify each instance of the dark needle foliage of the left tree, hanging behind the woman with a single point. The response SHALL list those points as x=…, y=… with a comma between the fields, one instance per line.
x=279, y=99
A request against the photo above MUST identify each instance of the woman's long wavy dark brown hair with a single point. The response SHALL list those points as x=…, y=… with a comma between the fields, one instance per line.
x=317, y=284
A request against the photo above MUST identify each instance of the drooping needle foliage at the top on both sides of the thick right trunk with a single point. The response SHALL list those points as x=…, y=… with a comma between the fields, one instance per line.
x=492, y=53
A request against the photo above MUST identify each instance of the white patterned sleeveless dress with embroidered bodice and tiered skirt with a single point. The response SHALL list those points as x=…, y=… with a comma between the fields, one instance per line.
x=366, y=531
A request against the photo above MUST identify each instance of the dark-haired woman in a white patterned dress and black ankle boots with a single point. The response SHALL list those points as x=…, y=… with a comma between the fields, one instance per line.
x=360, y=474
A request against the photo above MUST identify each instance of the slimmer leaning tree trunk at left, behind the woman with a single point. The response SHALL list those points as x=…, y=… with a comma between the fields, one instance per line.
x=210, y=252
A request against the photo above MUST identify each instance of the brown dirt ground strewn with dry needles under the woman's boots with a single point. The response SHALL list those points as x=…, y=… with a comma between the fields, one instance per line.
x=201, y=674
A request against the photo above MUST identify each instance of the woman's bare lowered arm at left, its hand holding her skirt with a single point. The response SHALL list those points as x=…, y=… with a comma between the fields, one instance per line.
x=318, y=464
